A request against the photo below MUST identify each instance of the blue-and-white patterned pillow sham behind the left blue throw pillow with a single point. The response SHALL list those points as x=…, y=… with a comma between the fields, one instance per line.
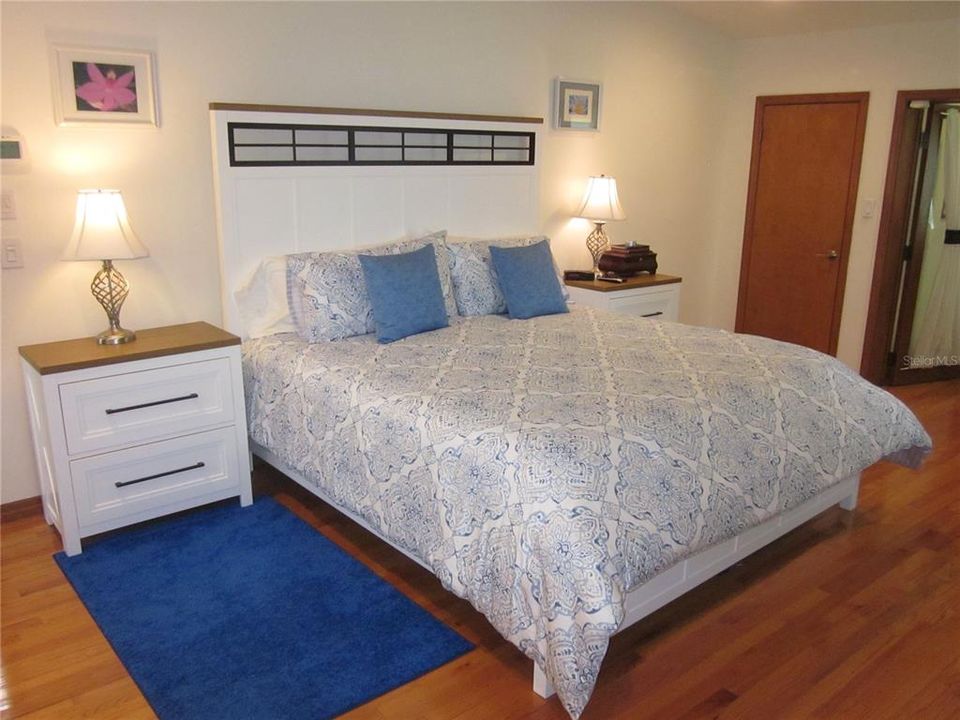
x=328, y=296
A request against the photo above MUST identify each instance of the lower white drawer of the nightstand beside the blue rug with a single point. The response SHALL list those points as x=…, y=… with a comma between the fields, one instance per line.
x=154, y=479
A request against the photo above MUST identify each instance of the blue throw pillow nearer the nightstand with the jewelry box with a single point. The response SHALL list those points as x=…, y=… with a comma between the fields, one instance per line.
x=528, y=280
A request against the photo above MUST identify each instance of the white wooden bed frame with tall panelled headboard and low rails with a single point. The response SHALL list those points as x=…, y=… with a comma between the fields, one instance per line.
x=264, y=211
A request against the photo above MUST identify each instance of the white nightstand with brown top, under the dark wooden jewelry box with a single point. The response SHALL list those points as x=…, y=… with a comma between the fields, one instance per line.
x=651, y=296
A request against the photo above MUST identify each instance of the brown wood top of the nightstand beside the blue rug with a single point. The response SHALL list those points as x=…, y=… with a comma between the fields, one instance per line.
x=65, y=355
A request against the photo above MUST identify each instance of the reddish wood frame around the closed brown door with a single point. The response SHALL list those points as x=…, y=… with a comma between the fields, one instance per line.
x=764, y=101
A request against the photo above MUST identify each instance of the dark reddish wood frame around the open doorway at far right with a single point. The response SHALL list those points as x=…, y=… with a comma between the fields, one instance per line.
x=891, y=240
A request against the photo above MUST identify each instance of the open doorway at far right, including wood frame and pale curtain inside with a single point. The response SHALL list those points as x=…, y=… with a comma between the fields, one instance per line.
x=913, y=324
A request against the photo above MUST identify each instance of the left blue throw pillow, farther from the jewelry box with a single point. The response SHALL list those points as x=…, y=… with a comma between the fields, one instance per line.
x=404, y=292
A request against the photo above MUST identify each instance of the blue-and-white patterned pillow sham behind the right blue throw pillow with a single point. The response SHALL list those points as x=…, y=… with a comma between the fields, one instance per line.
x=475, y=285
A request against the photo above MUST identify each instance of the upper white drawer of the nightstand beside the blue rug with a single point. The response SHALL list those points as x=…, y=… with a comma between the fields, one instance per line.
x=137, y=407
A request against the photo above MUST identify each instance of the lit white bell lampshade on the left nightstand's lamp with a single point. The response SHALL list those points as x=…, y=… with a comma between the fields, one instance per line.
x=101, y=230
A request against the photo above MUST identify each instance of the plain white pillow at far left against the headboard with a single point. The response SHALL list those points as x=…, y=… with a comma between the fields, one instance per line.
x=262, y=300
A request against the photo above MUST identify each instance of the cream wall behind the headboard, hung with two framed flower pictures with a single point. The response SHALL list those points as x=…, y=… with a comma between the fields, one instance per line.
x=661, y=74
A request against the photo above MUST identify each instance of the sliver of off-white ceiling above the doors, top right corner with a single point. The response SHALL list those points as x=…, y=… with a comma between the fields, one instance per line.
x=763, y=18
